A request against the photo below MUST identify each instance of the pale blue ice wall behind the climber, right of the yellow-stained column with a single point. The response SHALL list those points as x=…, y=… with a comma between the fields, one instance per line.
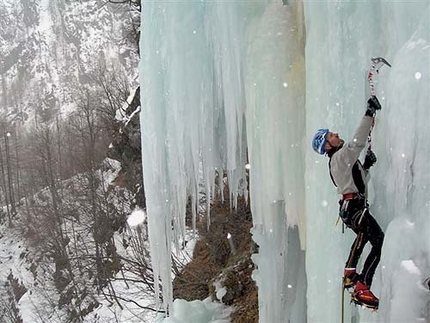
x=341, y=37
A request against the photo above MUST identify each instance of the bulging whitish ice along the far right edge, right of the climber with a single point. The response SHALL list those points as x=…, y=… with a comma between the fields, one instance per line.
x=404, y=177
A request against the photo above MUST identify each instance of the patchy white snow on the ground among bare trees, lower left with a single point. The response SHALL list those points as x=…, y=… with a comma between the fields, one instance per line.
x=137, y=302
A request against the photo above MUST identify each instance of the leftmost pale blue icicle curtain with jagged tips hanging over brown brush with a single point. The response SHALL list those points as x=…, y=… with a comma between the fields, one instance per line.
x=192, y=117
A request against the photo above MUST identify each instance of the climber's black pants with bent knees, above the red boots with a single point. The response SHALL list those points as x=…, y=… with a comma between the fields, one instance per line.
x=356, y=216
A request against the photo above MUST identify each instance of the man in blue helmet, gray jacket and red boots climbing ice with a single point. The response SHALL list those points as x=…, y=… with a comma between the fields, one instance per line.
x=349, y=176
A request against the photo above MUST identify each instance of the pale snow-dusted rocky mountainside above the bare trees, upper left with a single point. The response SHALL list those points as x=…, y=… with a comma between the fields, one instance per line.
x=48, y=49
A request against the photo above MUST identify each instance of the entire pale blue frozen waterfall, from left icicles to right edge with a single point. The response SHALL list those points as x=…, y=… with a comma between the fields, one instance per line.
x=224, y=83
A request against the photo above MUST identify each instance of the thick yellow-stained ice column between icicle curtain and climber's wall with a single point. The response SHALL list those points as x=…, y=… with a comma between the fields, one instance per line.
x=275, y=125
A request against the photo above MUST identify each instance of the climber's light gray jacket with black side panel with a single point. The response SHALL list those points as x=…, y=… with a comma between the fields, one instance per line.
x=346, y=170
